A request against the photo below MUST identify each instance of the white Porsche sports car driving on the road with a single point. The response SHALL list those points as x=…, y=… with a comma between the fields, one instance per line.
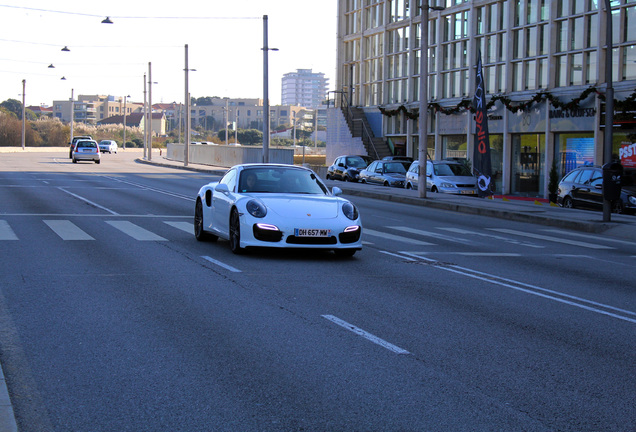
x=275, y=205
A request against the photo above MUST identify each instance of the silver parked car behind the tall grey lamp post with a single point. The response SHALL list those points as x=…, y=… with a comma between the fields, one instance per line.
x=444, y=177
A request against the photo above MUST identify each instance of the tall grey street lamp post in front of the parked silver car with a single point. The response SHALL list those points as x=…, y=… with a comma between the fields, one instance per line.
x=423, y=119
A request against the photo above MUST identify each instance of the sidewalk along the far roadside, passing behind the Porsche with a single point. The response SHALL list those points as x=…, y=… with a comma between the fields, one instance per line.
x=622, y=226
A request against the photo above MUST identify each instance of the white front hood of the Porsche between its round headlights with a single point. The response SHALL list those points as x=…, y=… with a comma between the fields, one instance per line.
x=301, y=206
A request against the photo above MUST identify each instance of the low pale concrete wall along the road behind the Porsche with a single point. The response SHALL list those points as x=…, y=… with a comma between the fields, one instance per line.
x=227, y=156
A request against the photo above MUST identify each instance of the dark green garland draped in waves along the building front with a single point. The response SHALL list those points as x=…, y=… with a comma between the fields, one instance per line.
x=629, y=104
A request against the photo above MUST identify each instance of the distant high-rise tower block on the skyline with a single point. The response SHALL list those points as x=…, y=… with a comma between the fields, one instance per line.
x=304, y=88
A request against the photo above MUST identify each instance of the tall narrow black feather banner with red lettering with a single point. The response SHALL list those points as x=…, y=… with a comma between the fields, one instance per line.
x=481, y=153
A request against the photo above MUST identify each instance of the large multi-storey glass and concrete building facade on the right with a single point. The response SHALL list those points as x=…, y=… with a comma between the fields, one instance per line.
x=544, y=71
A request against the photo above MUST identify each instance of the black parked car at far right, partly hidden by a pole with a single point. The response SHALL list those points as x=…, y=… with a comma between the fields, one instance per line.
x=583, y=187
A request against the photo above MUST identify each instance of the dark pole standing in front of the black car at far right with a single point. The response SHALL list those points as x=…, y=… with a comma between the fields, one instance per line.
x=609, y=103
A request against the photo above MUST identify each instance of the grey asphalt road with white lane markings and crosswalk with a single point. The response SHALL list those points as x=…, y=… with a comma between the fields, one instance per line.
x=113, y=317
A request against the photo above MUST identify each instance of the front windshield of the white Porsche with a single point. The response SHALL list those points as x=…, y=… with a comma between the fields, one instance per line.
x=280, y=180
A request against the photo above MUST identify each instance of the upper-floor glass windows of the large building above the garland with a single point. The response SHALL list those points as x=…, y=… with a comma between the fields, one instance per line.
x=574, y=58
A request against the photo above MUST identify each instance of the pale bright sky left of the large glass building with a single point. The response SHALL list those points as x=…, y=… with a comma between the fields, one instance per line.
x=224, y=38
